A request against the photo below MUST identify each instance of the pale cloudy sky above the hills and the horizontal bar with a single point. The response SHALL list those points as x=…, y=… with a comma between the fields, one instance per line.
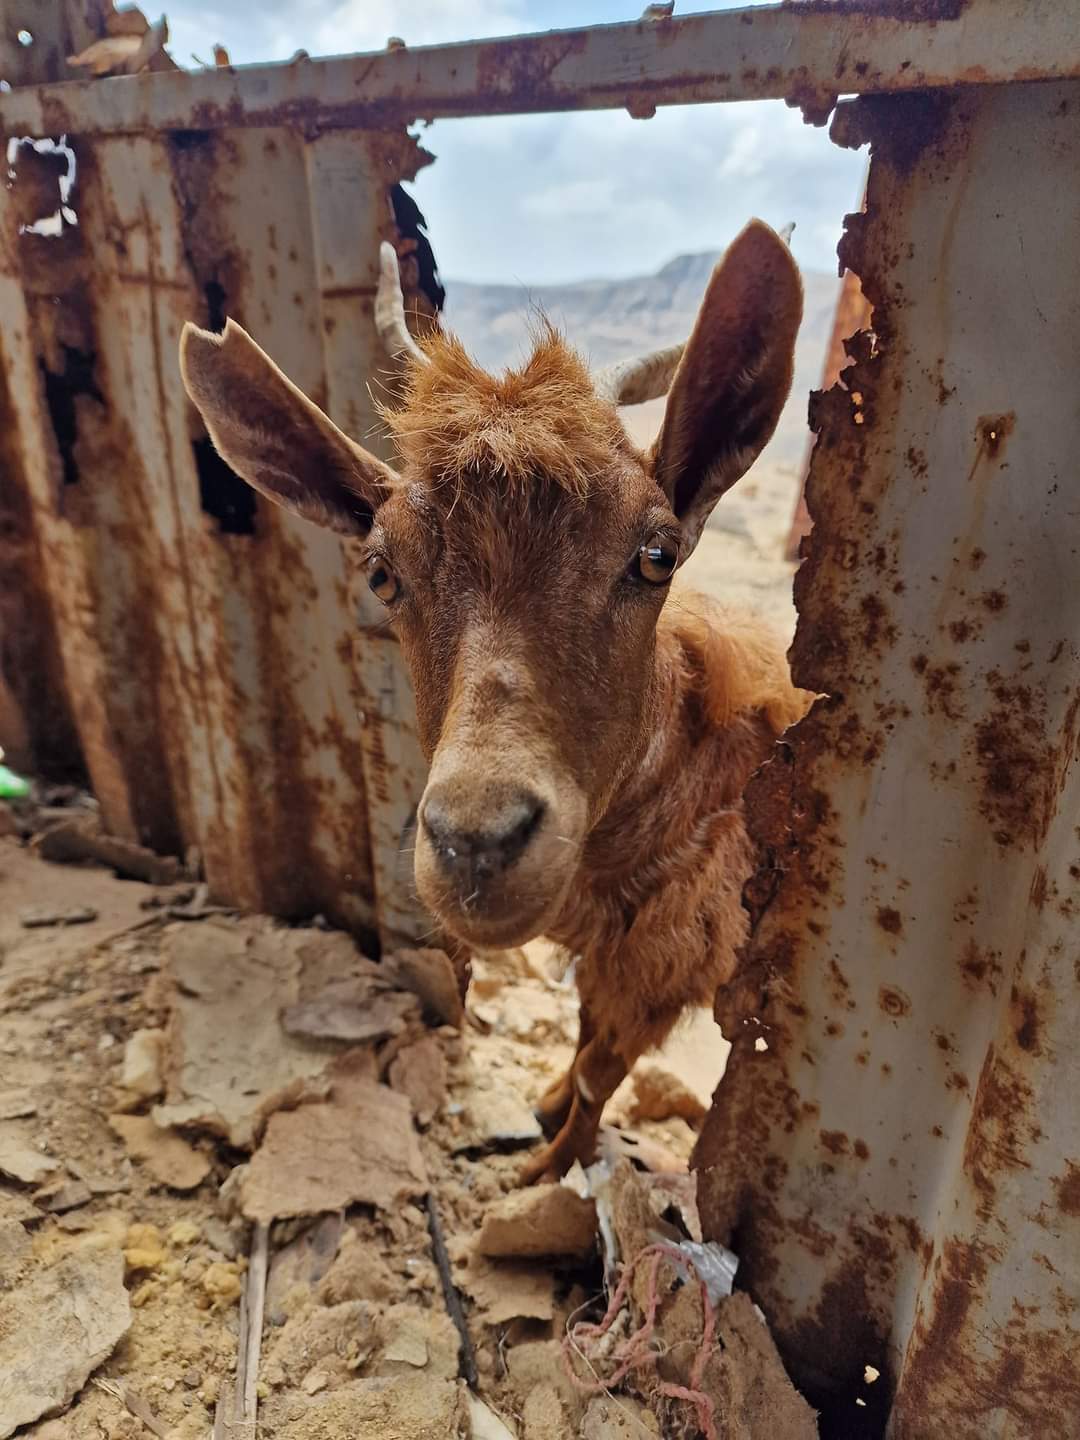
x=545, y=199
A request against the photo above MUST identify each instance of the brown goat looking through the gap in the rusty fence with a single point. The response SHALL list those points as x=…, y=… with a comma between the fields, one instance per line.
x=588, y=745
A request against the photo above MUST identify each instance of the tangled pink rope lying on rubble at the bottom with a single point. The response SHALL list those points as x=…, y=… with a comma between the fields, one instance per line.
x=636, y=1351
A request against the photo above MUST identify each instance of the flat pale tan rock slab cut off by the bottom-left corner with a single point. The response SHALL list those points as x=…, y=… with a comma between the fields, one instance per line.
x=60, y=1326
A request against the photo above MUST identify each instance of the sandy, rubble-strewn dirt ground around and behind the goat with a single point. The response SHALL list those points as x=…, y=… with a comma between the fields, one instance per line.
x=231, y=1151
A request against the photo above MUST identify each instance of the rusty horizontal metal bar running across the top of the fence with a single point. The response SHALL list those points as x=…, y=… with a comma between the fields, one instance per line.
x=813, y=50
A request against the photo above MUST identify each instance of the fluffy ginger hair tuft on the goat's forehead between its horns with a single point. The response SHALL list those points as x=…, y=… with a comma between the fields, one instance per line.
x=463, y=428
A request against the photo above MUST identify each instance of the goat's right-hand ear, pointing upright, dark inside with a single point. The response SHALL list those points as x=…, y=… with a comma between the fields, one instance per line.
x=734, y=378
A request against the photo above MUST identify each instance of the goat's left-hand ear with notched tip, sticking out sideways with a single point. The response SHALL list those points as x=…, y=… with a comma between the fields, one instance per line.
x=276, y=438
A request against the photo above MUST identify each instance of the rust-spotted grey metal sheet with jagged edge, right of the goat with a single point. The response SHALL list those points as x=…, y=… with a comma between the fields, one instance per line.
x=901, y=1169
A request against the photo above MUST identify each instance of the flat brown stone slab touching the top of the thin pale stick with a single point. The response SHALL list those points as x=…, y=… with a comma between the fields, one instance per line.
x=361, y=1148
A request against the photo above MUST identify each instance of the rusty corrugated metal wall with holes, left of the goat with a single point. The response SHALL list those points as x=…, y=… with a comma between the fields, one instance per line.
x=202, y=653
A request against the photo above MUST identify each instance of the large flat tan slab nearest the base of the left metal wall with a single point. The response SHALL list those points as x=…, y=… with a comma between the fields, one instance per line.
x=227, y=1059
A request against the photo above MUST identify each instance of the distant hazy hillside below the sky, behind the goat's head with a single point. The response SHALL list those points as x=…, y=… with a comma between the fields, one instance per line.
x=610, y=320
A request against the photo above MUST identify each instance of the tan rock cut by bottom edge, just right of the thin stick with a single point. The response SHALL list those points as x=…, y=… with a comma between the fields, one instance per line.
x=400, y=1408
